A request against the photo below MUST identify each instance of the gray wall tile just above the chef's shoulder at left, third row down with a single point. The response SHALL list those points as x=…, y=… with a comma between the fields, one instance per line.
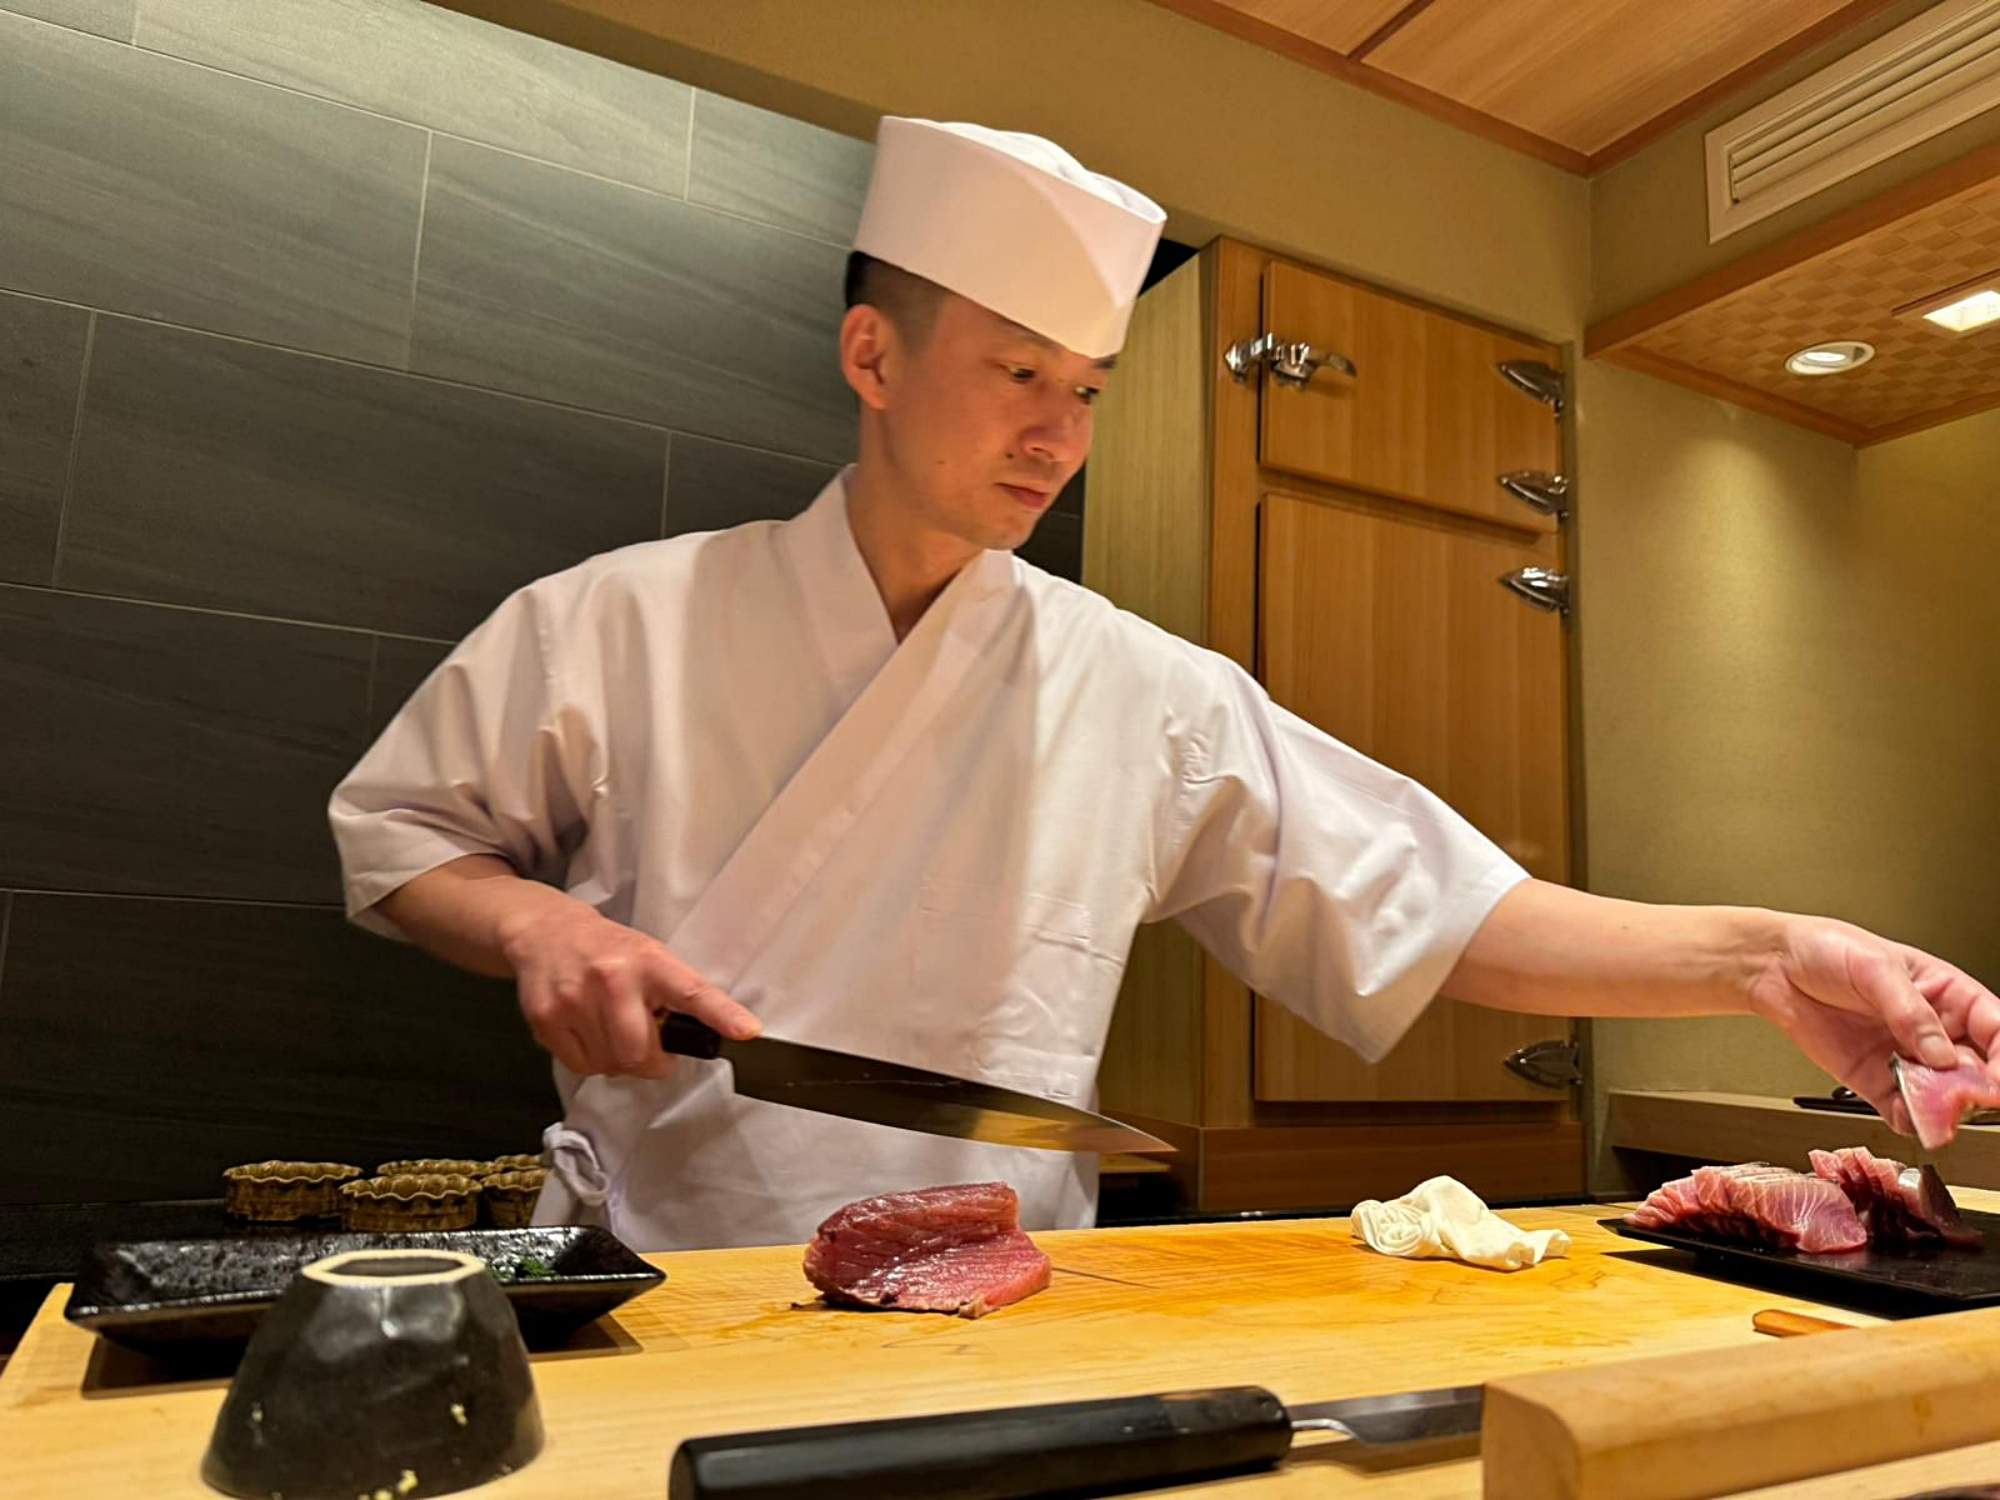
x=243, y=477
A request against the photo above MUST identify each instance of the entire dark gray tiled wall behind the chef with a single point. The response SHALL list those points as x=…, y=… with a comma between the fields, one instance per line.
x=323, y=325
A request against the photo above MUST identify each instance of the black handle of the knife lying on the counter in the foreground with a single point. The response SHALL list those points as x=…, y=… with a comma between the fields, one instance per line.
x=1001, y=1455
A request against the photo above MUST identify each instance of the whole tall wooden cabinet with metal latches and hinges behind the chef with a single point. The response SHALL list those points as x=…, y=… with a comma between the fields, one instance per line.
x=1347, y=541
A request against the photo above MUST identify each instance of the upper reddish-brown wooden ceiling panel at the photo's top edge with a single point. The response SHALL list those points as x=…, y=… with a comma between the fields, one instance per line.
x=1579, y=83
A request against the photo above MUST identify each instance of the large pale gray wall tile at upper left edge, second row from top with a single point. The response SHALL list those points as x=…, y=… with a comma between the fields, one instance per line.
x=147, y=185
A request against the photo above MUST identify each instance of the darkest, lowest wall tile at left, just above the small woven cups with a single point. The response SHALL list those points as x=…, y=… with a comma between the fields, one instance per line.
x=151, y=1043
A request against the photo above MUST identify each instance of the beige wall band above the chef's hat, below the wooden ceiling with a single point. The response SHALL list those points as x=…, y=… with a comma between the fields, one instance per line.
x=1225, y=135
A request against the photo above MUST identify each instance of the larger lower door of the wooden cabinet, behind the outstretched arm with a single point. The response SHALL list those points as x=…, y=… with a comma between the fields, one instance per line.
x=1393, y=637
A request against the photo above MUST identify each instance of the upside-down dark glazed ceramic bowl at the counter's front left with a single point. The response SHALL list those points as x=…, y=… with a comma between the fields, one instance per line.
x=379, y=1373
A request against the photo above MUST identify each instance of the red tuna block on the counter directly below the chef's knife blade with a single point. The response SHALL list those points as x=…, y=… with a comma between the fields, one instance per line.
x=935, y=1251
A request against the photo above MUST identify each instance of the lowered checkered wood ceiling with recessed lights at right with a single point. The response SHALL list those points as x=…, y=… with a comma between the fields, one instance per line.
x=1855, y=277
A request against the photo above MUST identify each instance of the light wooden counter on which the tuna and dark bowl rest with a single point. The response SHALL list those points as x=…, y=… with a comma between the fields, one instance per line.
x=1289, y=1305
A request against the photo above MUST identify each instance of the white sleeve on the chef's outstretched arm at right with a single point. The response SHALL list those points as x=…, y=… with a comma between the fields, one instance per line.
x=1319, y=877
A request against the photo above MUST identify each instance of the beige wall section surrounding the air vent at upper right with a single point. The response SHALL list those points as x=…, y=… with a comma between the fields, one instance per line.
x=1651, y=213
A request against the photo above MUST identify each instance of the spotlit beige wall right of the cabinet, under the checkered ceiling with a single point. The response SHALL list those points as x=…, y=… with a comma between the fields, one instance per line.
x=1789, y=667
